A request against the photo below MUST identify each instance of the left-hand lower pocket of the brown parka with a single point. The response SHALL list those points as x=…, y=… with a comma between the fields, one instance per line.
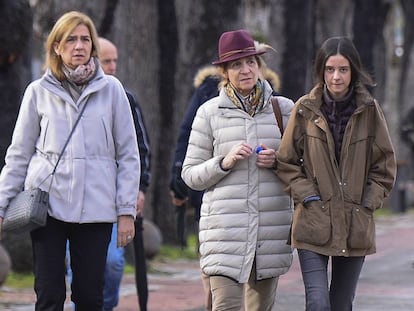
x=312, y=224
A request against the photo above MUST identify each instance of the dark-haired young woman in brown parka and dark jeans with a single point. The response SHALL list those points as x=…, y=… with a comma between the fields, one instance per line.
x=337, y=161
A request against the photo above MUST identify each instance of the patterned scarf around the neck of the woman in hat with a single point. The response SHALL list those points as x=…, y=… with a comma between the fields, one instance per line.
x=251, y=103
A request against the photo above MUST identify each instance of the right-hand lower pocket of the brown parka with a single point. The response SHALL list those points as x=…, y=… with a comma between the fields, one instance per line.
x=362, y=228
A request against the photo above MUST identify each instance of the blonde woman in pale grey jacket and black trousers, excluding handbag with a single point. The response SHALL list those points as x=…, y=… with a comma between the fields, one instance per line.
x=97, y=179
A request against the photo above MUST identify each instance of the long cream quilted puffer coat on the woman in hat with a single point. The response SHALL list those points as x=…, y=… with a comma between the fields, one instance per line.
x=245, y=215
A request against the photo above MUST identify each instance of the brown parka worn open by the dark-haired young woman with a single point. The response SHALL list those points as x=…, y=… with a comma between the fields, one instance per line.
x=351, y=190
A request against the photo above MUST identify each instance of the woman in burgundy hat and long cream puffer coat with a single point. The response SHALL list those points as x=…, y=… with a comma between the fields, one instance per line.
x=245, y=215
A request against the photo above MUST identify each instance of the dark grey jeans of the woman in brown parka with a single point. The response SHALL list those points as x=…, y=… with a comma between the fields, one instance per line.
x=344, y=278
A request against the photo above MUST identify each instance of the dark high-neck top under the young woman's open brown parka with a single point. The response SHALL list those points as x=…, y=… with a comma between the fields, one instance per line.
x=337, y=113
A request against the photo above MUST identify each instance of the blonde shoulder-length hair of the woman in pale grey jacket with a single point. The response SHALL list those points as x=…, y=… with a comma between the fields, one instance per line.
x=59, y=33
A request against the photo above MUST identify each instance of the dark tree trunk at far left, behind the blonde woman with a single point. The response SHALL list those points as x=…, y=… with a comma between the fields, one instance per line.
x=15, y=73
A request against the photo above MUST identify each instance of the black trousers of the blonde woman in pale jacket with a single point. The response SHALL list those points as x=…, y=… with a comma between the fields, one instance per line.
x=88, y=245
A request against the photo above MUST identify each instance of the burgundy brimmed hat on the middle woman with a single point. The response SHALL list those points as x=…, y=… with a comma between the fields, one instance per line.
x=234, y=45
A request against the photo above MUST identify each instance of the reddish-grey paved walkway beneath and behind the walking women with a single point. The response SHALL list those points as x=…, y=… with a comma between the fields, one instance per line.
x=386, y=282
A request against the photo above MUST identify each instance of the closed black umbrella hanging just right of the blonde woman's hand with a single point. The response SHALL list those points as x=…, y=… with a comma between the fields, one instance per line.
x=140, y=266
